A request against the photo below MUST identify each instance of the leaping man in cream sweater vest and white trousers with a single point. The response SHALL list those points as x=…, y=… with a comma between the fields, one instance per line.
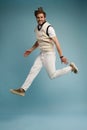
x=46, y=40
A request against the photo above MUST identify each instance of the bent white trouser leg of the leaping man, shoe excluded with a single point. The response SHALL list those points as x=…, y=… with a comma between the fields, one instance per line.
x=49, y=64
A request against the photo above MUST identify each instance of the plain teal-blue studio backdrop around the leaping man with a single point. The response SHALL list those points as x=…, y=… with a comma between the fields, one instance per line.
x=59, y=104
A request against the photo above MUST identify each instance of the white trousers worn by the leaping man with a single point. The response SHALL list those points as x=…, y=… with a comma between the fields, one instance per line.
x=48, y=61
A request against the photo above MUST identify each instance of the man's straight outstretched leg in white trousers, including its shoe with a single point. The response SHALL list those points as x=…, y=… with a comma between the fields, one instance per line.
x=31, y=76
